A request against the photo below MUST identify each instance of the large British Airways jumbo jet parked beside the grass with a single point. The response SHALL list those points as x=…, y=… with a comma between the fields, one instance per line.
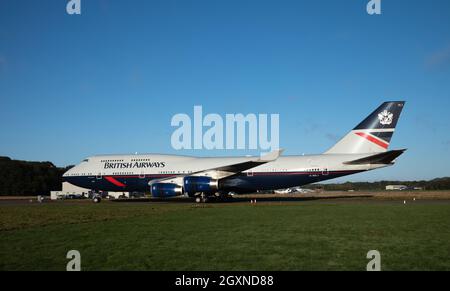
x=364, y=148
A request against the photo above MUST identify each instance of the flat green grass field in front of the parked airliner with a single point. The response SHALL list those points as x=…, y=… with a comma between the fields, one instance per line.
x=290, y=236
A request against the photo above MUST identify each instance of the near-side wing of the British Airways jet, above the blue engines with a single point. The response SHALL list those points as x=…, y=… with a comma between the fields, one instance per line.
x=224, y=171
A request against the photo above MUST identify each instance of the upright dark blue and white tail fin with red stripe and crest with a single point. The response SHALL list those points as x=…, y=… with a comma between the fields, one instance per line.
x=373, y=134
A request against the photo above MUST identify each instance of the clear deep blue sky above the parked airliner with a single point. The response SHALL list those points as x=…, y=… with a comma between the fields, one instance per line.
x=110, y=80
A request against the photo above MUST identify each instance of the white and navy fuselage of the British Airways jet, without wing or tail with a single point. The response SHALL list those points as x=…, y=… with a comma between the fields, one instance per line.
x=134, y=172
